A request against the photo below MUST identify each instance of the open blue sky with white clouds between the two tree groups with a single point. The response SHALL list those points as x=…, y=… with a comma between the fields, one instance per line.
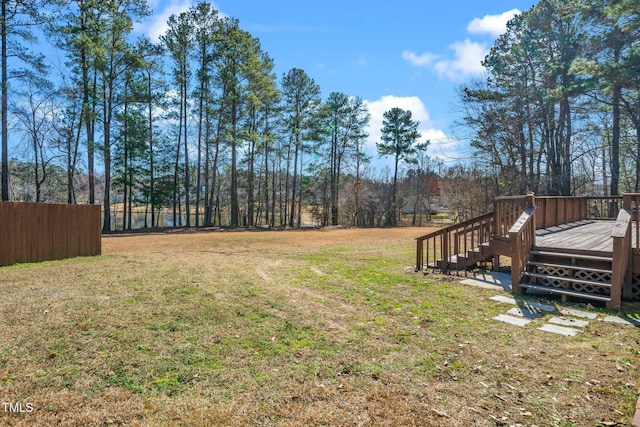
x=412, y=54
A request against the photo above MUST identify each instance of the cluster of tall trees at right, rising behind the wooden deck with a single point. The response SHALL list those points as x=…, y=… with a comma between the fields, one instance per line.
x=559, y=110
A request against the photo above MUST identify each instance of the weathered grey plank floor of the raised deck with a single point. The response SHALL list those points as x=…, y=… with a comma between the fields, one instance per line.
x=588, y=236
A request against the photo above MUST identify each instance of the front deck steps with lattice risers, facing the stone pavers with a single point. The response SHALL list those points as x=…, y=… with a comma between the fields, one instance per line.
x=567, y=273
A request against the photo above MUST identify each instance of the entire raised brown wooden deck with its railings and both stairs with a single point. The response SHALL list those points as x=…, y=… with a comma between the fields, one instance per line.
x=582, y=247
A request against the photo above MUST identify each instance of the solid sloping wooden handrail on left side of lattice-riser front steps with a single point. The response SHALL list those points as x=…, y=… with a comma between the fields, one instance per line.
x=523, y=237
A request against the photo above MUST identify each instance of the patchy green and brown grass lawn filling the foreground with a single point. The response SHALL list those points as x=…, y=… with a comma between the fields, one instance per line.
x=289, y=328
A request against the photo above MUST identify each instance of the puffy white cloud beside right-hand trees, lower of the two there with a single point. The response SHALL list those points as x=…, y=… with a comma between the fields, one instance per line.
x=467, y=60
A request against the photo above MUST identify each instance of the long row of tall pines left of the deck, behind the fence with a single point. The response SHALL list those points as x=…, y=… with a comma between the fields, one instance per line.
x=198, y=125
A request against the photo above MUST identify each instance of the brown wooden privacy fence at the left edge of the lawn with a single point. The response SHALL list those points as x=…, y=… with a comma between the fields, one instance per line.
x=33, y=232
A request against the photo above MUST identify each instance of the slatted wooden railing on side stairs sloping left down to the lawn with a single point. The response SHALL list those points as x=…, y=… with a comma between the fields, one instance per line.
x=453, y=240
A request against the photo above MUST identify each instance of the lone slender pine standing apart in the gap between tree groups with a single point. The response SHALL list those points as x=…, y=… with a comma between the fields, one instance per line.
x=399, y=137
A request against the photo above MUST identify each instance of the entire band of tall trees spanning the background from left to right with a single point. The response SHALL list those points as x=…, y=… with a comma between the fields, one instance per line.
x=199, y=127
